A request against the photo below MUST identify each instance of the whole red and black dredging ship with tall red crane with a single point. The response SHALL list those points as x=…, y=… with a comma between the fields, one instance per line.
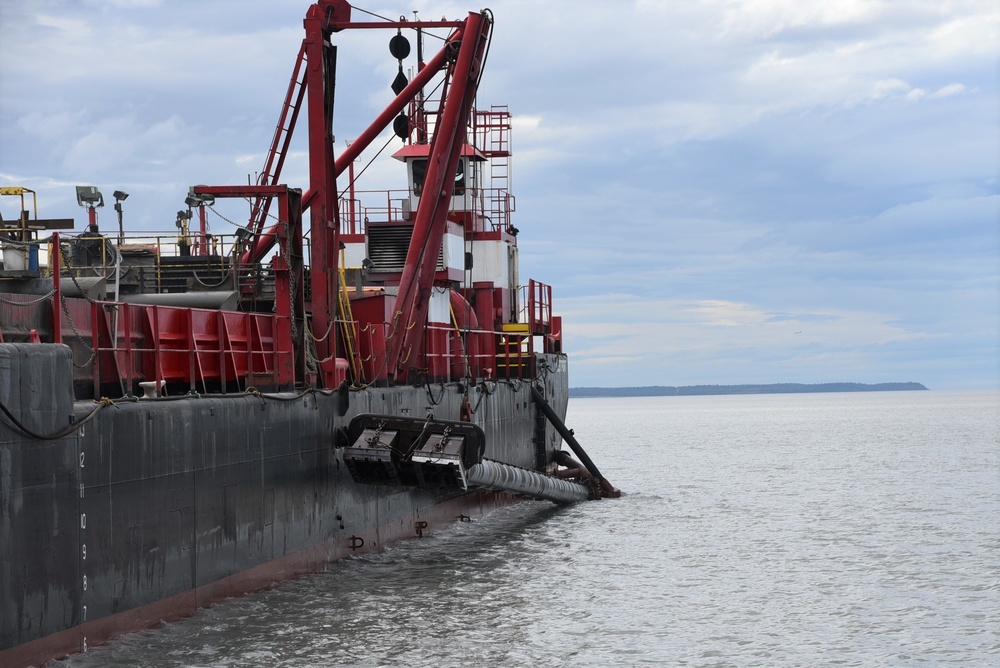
x=195, y=416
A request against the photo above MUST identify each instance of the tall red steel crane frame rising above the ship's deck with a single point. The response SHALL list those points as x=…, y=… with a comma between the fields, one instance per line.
x=314, y=80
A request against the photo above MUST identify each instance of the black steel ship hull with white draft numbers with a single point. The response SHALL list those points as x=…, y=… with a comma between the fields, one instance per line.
x=154, y=508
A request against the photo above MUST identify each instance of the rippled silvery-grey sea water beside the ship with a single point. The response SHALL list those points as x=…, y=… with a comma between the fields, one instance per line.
x=769, y=530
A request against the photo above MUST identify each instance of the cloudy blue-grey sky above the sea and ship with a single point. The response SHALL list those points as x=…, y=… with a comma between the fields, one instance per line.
x=719, y=191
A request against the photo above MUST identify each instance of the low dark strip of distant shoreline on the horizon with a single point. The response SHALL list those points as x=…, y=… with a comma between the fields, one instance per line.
x=775, y=388
